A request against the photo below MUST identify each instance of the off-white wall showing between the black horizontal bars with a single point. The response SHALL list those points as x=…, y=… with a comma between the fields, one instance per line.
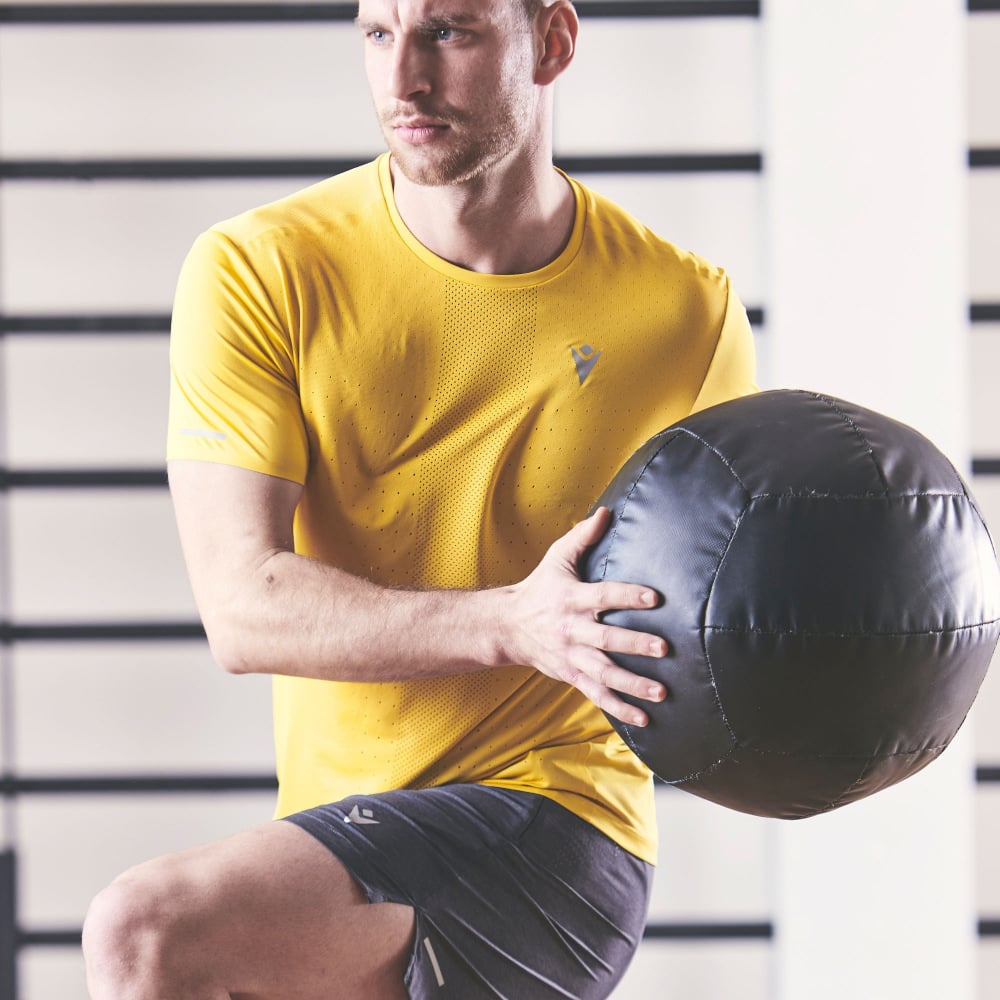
x=74, y=400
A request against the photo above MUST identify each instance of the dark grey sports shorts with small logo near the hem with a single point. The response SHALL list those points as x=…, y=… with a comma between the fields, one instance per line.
x=514, y=896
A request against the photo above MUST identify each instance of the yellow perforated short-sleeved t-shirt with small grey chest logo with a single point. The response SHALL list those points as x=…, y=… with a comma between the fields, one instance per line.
x=447, y=426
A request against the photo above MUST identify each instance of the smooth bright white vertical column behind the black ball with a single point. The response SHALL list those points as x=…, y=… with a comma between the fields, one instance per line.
x=865, y=178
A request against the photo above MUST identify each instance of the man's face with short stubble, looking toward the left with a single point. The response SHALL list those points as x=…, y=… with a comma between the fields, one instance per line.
x=453, y=83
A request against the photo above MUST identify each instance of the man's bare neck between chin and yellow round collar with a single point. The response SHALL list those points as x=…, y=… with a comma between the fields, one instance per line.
x=506, y=222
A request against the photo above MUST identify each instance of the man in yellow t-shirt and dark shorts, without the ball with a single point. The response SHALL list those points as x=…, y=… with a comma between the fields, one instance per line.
x=393, y=394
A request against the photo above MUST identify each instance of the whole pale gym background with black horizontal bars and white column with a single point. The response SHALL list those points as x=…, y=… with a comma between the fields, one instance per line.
x=126, y=128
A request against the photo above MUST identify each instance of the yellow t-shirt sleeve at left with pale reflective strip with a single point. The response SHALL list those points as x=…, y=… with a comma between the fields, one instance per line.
x=234, y=395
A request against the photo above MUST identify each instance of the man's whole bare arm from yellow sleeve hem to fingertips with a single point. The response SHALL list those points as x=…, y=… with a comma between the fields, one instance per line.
x=268, y=610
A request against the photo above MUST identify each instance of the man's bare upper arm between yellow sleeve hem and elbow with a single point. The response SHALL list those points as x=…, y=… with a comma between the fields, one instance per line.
x=230, y=521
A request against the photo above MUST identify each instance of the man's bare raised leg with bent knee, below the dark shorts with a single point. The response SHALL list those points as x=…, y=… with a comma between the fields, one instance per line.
x=267, y=913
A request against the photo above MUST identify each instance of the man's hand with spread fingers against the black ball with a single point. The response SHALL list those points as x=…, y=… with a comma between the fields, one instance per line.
x=553, y=624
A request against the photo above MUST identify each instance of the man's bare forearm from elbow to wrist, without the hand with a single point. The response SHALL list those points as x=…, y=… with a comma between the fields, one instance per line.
x=297, y=616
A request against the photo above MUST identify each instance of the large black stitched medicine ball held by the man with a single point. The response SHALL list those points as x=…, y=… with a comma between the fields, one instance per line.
x=831, y=600
